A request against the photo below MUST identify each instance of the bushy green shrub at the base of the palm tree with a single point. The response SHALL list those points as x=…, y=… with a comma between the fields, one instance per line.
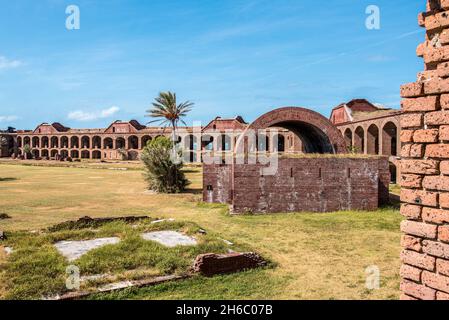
x=161, y=173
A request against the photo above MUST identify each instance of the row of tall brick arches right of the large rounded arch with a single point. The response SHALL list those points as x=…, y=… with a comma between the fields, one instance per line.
x=374, y=141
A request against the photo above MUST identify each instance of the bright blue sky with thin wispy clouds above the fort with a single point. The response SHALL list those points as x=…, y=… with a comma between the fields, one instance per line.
x=230, y=57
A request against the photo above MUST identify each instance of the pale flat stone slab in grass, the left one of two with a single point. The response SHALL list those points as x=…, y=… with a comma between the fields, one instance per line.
x=73, y=250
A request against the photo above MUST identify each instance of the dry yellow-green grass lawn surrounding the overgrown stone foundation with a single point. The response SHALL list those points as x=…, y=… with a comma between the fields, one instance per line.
x=317, y=256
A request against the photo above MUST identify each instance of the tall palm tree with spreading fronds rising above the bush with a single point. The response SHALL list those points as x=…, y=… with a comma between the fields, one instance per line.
x=169, y=113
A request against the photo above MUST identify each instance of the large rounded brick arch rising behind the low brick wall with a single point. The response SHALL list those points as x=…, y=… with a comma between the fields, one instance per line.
x=318, y=133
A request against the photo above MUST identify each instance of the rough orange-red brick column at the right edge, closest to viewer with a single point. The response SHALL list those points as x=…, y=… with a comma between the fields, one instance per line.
x=425, y=165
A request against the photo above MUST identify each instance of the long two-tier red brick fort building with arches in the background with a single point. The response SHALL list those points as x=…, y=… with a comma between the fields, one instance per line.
x=125, y=140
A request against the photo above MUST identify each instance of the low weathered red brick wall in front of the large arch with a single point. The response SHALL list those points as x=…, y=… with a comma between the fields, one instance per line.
x=301, y=184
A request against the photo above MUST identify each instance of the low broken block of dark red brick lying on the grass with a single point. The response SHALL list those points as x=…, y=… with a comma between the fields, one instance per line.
x=212, y=264
